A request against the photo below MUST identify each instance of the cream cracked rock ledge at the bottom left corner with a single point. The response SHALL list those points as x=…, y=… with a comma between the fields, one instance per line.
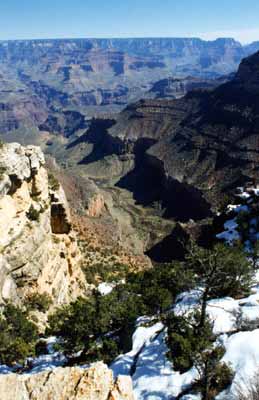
x=94, y=383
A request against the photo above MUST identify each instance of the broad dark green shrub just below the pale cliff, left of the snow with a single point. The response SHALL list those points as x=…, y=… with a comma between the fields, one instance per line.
x=88, y=321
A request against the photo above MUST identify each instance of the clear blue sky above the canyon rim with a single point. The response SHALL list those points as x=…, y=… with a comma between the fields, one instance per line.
x=208, y=19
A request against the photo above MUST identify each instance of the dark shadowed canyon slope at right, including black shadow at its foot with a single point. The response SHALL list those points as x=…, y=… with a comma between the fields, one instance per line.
x=196, y=147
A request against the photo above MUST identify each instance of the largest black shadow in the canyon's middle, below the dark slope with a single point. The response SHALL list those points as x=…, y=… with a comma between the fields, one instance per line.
x=149, y=184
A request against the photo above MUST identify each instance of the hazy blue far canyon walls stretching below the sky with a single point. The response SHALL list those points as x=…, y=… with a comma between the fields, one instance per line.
x=55, y=85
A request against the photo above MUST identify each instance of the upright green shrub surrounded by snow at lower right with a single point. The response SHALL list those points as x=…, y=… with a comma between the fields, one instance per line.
x=190, y=345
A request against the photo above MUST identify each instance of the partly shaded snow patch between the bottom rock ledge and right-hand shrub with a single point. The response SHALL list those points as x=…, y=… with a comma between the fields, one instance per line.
x=153, y=375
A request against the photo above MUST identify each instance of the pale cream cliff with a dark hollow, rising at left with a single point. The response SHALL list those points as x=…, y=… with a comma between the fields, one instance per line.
x=38, y=249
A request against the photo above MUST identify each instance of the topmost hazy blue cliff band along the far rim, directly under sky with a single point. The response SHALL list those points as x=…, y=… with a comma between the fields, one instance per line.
x=123, y=55
